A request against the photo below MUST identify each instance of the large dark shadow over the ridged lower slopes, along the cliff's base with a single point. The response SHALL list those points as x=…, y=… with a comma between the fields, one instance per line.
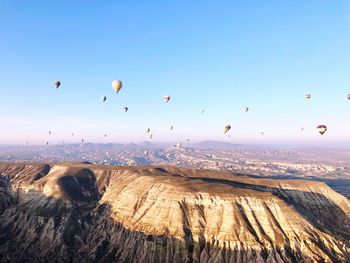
x=30, y=232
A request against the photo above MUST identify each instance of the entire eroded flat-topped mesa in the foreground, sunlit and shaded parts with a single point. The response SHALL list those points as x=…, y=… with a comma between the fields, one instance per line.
x=86, y=213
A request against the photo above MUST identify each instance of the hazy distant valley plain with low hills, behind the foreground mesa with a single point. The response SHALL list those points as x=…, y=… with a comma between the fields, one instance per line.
x=331, y=166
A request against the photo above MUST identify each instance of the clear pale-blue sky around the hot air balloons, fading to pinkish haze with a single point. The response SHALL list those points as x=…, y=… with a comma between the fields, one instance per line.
x=219, y=56
